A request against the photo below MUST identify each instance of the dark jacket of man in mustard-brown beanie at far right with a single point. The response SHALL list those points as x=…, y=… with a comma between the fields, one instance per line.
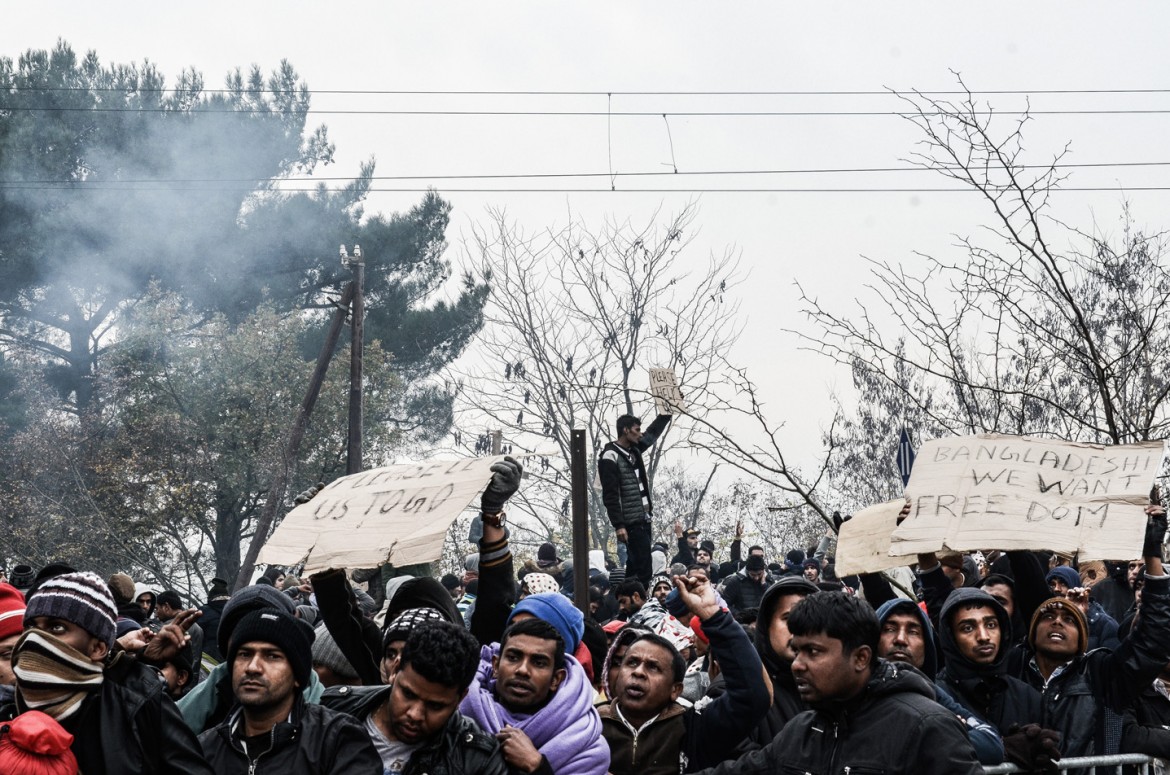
x=1085, y=699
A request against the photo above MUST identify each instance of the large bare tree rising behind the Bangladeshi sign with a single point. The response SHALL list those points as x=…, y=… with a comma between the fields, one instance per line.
x=1013, y=333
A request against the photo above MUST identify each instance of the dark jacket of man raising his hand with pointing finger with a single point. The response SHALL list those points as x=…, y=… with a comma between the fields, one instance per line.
x=690, y=739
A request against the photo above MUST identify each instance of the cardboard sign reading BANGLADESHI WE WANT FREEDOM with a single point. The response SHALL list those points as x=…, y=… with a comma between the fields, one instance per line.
x=1008, y=492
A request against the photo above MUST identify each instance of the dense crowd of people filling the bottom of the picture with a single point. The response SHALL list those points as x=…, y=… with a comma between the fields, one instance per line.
x=683, y=664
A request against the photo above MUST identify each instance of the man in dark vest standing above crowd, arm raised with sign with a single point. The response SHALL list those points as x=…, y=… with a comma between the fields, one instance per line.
x=627, y=491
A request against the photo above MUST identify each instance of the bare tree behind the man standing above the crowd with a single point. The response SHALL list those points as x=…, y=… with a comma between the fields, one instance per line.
x=576, y=319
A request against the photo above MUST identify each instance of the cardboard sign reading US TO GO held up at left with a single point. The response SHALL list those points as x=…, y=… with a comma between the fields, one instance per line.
x=398, y=515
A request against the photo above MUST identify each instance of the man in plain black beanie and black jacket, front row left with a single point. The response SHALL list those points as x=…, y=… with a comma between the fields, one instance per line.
x=272, y=725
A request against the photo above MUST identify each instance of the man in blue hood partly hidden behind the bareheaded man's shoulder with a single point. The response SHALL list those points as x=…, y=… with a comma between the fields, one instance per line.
x=906, y=636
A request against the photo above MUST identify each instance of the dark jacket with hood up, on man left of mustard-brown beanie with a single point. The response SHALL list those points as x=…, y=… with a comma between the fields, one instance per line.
x=987, y=690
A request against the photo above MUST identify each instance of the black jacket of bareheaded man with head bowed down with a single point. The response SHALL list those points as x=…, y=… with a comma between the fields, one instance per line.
x=460, y=749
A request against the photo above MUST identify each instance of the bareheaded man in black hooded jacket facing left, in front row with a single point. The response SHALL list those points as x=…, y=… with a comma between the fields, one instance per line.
x=868, y=715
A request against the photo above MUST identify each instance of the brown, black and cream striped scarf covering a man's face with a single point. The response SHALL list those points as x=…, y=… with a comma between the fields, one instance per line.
x=52, y=676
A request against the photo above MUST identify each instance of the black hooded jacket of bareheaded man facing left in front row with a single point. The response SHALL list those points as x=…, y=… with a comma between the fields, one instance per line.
x=893, y=728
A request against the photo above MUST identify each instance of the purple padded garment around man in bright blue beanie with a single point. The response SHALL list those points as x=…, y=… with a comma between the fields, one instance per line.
x=567, y=731
